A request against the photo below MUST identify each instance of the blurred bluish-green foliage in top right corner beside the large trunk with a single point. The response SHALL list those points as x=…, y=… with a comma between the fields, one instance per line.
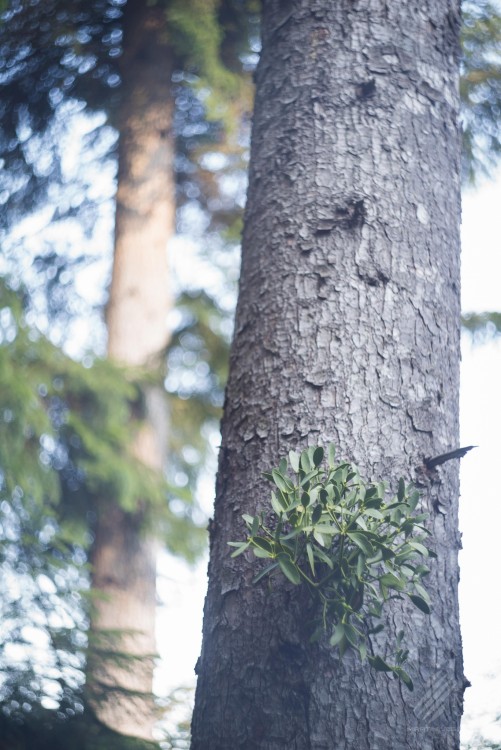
x=480, y=87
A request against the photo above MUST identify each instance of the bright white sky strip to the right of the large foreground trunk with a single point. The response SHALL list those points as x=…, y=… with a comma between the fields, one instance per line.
x=480, y=502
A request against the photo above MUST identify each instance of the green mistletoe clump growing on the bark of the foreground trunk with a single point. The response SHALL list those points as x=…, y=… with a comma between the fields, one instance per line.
x=352, y=547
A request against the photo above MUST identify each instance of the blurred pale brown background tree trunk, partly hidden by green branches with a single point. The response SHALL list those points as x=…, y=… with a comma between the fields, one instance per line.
x=123, y=558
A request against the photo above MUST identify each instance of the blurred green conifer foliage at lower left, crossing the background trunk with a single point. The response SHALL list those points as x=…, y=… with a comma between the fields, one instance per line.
x=65, y=435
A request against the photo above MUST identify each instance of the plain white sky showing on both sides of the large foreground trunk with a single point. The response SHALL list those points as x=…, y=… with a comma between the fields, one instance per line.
x=182, y=590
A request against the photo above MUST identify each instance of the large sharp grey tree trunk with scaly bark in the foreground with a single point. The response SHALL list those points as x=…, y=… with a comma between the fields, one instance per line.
x=347, y=330
